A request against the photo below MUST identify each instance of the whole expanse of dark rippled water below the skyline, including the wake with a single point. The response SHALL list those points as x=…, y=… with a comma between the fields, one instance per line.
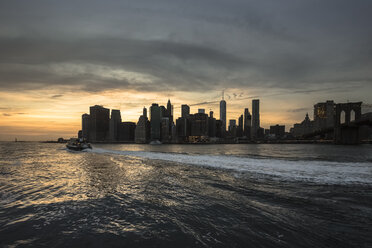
x=185, y=196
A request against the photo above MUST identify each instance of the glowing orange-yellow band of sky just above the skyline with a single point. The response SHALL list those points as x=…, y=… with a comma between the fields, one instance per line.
x=45, y=115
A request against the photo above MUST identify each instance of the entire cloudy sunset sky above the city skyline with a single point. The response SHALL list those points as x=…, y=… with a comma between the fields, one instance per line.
x=57, y=58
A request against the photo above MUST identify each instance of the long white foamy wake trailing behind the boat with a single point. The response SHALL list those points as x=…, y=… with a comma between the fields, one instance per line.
x=313, y=171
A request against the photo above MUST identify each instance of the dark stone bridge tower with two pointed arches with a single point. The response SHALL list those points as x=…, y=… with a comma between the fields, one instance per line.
x=347, y=133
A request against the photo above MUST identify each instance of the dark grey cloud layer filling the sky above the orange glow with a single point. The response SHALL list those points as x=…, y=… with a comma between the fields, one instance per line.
x=185, y=46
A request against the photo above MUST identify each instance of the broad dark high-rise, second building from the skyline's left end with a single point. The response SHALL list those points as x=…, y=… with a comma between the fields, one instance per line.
x=99, y=123
